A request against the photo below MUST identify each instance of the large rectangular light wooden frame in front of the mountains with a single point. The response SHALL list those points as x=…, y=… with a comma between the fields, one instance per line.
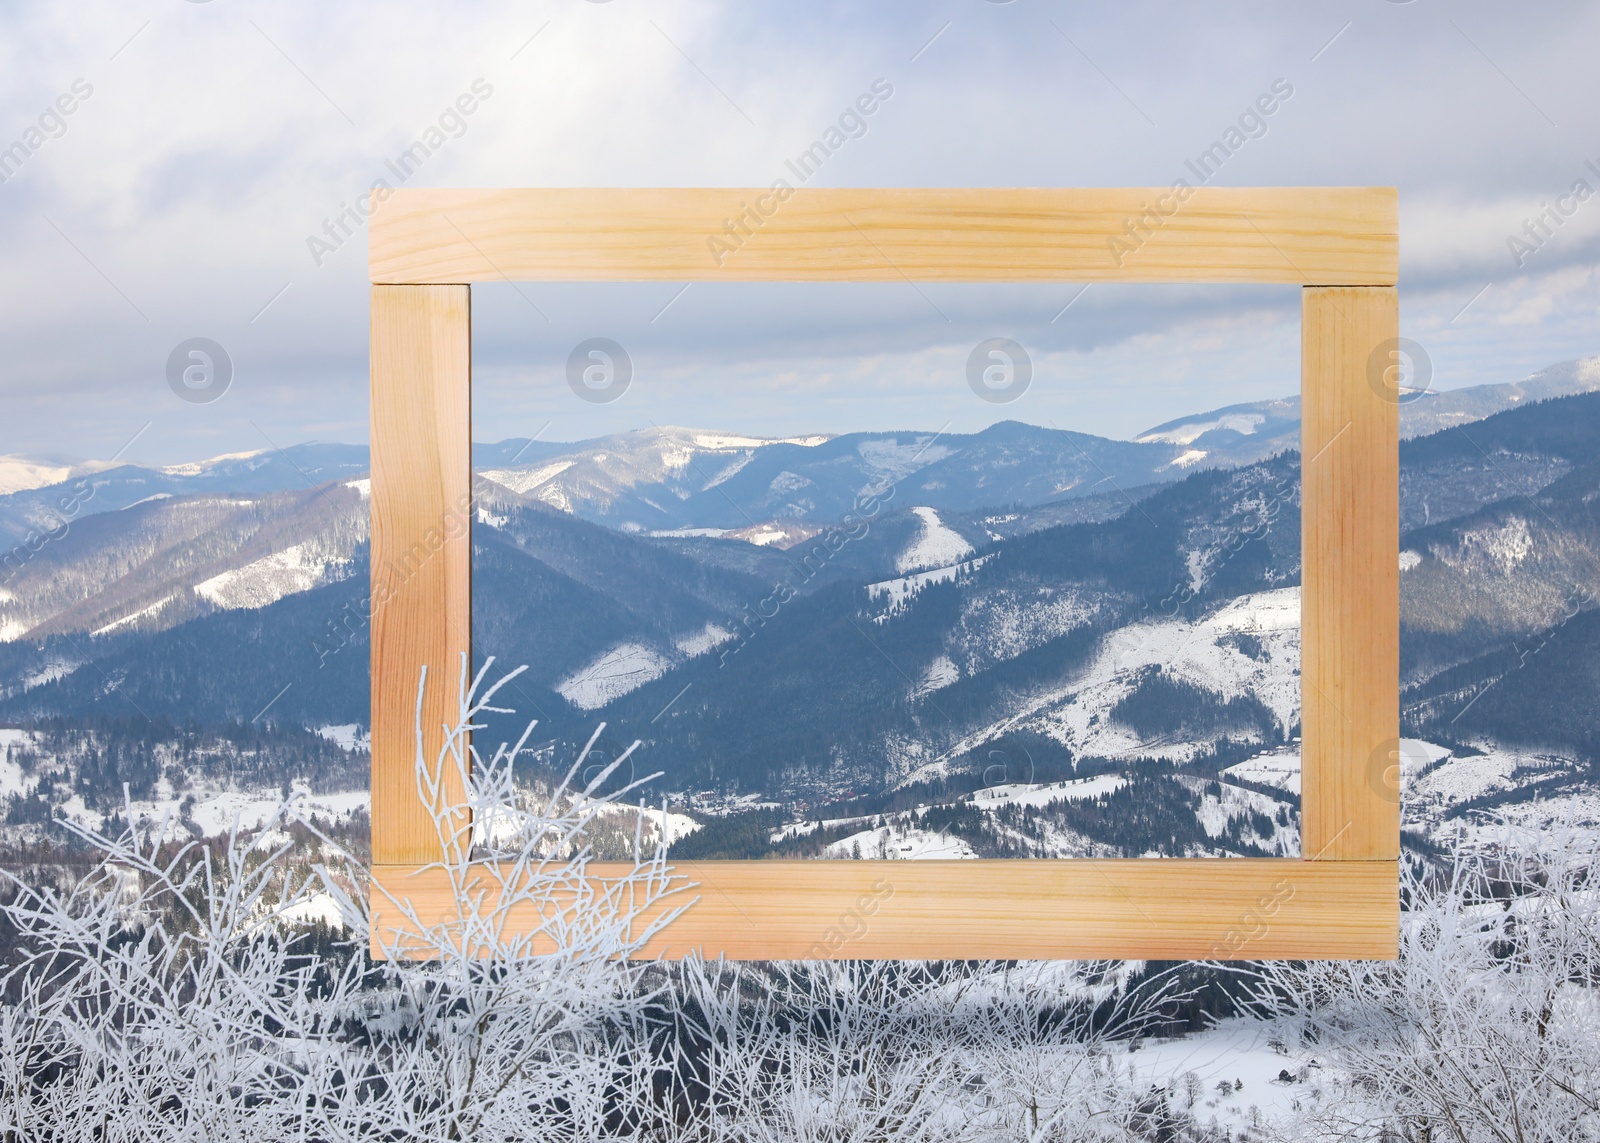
x=1340, y=244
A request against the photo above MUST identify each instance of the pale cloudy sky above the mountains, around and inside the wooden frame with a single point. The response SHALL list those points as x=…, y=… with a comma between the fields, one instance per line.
x=207, y=145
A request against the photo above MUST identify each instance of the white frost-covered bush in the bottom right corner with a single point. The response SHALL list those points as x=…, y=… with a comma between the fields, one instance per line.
x=1489, y=1025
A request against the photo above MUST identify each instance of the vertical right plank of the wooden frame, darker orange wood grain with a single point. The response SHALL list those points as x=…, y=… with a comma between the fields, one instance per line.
x=1351, y=587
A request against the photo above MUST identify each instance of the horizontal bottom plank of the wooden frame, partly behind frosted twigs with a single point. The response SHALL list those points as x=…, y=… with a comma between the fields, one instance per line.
x=1218, y=908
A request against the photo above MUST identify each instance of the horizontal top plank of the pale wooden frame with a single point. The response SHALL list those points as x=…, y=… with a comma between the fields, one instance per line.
x=1305, y=236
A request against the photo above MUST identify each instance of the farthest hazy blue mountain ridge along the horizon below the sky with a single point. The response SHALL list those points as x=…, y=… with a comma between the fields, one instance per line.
x=671, y=479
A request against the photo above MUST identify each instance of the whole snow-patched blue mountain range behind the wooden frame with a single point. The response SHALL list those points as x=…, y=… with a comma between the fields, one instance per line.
x=1047, y=673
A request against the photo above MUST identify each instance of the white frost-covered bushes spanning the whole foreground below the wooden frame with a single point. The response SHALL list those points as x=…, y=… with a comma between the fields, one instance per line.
x=180, y=993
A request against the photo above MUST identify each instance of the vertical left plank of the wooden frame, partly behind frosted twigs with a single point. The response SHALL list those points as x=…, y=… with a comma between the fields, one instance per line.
x=422, y=511
